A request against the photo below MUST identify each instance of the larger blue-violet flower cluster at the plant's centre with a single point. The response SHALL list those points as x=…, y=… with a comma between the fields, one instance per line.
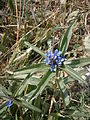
x=55, y=60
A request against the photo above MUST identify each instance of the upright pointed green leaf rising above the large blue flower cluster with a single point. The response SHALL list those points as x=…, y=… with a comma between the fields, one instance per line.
x=64, y=43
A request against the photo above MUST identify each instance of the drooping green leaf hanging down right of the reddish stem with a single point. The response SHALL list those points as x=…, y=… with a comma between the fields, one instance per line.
x=63, y=91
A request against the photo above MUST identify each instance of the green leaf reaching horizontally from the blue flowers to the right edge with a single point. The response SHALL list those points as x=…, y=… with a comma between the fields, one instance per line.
x=79, y=62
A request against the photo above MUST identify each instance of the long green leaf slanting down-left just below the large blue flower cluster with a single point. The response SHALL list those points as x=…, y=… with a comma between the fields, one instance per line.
x=43, y=83
